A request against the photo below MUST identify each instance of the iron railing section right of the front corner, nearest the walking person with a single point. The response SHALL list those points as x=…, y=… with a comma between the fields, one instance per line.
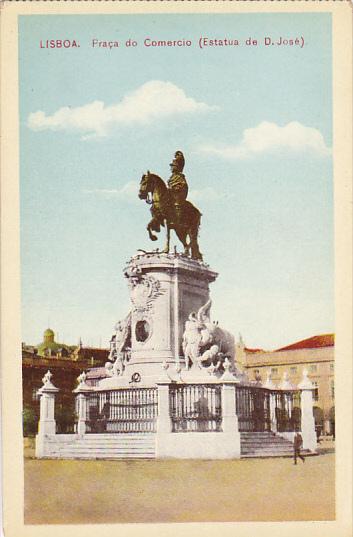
x=260, y=409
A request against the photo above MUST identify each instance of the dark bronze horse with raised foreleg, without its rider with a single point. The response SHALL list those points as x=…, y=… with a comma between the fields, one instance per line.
x=163, y=214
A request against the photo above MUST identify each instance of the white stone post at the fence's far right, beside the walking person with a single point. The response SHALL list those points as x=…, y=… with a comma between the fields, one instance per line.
x=307, y=416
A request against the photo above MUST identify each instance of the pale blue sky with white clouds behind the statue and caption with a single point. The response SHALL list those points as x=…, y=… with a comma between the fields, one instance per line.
x=255, y=127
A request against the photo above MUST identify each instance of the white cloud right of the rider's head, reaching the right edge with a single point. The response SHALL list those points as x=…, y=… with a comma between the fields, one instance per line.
x=269, y=137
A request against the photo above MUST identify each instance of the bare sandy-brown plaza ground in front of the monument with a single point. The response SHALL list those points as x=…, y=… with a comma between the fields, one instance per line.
x=71, y=491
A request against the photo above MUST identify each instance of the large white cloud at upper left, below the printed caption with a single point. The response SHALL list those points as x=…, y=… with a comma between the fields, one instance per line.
x=154, y=100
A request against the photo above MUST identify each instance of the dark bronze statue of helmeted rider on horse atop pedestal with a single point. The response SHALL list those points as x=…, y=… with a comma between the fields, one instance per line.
x=171, y=209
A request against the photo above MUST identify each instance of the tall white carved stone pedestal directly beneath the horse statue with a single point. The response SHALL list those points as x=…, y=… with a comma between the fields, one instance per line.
x=164, y=290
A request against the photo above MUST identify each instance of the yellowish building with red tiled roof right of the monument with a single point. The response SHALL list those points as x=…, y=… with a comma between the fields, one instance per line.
x=315, y=354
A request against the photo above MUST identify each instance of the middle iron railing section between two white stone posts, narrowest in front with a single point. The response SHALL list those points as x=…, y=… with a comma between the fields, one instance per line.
x=195, y=408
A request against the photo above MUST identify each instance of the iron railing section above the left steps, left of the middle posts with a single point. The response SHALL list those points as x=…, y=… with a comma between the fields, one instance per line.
x=130, y=410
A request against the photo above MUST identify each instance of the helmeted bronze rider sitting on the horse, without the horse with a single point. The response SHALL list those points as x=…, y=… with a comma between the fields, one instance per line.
x=177, y=186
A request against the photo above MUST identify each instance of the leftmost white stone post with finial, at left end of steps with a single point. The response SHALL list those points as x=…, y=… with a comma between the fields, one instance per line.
x=47, y=425
